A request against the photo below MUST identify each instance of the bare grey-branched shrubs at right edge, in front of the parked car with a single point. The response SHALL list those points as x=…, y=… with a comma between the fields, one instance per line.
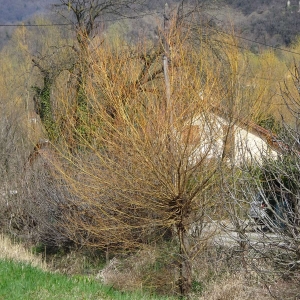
x=271, y=185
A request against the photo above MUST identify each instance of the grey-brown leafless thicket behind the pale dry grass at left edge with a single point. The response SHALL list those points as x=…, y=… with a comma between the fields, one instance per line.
x=27, y=184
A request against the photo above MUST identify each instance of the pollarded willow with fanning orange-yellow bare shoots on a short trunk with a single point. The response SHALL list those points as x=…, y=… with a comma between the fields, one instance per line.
x=149, y=165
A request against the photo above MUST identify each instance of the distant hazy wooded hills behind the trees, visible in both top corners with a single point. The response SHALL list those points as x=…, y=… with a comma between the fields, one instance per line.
x=264, y=21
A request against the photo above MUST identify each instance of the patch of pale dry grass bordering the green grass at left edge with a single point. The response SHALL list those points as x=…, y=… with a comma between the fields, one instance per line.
x=17, y=252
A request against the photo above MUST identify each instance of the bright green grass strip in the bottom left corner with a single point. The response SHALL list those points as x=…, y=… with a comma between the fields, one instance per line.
x=22, y=281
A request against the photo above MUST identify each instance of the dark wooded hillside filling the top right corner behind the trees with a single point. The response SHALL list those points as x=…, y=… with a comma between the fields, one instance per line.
x=265, y=21
